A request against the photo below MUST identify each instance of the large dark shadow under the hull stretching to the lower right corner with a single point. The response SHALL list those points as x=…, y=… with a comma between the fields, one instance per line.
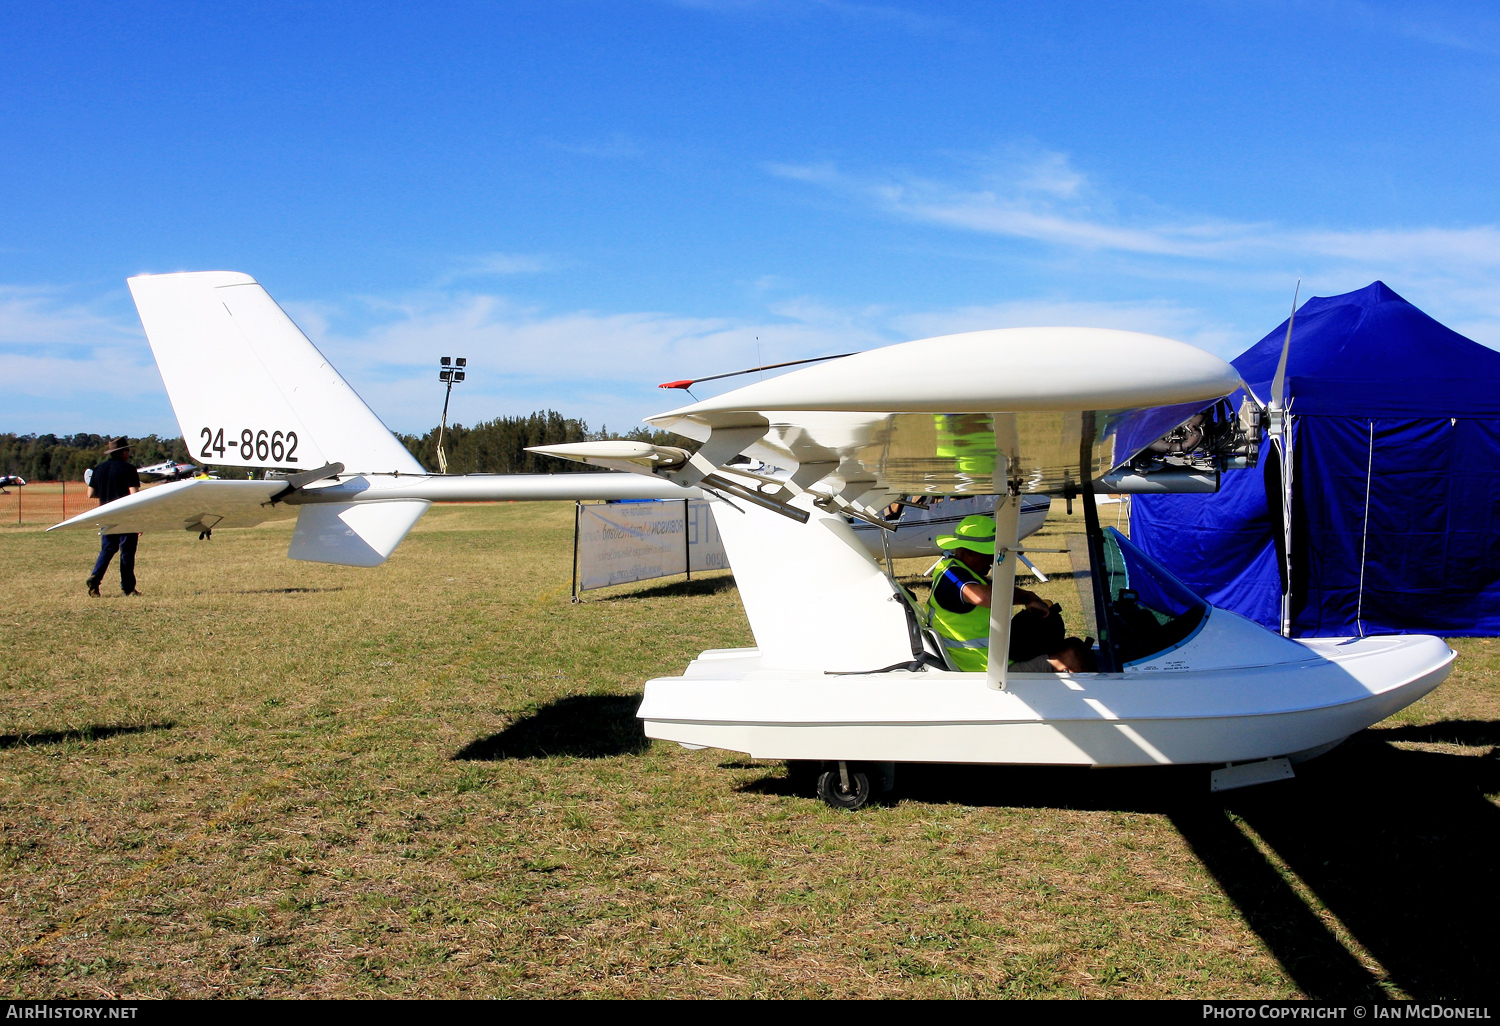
x=1397, y=844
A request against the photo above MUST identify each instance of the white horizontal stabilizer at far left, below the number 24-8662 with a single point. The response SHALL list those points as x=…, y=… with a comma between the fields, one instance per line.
x=187, y=506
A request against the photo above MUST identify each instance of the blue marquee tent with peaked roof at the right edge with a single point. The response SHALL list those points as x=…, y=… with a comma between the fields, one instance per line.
x=1396, y=515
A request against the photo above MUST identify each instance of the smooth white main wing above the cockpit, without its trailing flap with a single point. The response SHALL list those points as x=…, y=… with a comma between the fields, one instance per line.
x=922, y=418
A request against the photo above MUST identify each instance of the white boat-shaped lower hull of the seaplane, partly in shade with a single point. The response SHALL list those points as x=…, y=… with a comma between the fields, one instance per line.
x=1133, y=719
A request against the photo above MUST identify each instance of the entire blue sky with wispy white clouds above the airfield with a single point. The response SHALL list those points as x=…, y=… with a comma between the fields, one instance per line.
x=589, y=199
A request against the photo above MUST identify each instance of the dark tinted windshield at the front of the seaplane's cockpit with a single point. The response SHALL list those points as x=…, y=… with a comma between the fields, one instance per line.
x=1153, y=611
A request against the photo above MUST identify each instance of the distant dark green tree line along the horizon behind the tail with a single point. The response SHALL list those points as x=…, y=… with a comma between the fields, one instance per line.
x=488, y=448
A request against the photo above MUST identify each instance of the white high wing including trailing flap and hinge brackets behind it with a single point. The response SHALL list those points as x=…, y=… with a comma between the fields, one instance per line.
x=1046, y=412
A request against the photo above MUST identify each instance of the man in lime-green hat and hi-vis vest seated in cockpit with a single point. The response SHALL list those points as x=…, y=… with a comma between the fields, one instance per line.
x=959, y=607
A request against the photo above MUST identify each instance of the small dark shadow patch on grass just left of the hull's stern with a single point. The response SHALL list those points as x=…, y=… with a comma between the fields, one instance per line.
x=584, y=727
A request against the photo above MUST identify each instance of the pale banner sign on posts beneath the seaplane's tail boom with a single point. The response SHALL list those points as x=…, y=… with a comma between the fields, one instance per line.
x=625, y=542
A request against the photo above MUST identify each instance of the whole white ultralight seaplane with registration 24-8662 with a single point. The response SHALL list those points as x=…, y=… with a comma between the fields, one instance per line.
x=844, y=673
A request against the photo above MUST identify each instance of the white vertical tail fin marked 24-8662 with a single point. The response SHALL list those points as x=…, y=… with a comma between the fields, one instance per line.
x=248, y=386
